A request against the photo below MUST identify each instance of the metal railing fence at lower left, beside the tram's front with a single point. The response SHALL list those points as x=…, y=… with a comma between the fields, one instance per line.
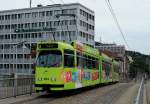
x=13, y=87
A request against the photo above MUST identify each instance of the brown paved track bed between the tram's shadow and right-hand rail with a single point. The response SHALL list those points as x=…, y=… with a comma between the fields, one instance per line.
x=102, y=95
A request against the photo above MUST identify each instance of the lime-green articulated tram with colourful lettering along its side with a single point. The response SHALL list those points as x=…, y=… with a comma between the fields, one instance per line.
x=62, y=66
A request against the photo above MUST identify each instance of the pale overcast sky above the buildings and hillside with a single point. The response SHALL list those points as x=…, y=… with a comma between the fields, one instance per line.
x=133, y=16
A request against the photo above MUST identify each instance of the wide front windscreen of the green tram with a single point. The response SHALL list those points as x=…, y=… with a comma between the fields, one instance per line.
x=51, y=58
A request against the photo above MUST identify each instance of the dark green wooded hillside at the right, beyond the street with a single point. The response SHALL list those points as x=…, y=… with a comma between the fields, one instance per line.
x=140, y=63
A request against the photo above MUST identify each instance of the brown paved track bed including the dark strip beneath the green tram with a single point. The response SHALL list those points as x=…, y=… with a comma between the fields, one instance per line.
x=99, y=95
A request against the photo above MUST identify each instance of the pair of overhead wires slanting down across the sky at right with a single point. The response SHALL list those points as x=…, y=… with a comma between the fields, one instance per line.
x=116, y=21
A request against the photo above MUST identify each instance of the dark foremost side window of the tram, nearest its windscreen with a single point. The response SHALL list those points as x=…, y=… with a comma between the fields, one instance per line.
x=68, y=58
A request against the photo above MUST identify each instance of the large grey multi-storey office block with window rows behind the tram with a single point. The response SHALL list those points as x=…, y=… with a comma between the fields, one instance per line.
x=67, y=22
